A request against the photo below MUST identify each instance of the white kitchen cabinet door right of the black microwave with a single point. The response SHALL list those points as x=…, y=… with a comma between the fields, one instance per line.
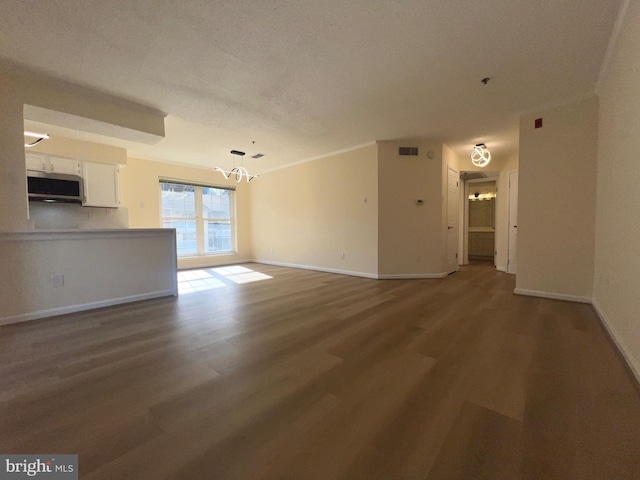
x=100, y=185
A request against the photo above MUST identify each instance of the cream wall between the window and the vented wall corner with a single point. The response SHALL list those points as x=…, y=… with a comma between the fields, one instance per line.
x=308, y=214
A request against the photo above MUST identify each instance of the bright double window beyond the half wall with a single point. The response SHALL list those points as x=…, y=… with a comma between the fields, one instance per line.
x=202, y=216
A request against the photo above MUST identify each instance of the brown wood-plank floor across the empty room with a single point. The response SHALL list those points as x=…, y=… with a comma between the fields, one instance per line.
x=311, y=375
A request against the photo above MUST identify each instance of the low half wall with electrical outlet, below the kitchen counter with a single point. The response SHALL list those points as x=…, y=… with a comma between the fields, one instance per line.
x=99, y=268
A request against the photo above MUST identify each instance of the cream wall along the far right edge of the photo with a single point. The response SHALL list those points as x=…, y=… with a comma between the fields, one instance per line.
x=617, y=262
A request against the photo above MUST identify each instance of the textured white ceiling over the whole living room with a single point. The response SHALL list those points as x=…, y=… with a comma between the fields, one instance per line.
x=306, y=78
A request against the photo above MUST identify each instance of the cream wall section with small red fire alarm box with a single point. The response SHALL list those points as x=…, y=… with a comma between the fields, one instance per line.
x=556, y=214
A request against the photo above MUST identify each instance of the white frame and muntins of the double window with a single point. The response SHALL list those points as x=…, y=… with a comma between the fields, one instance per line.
x=200, y=220
